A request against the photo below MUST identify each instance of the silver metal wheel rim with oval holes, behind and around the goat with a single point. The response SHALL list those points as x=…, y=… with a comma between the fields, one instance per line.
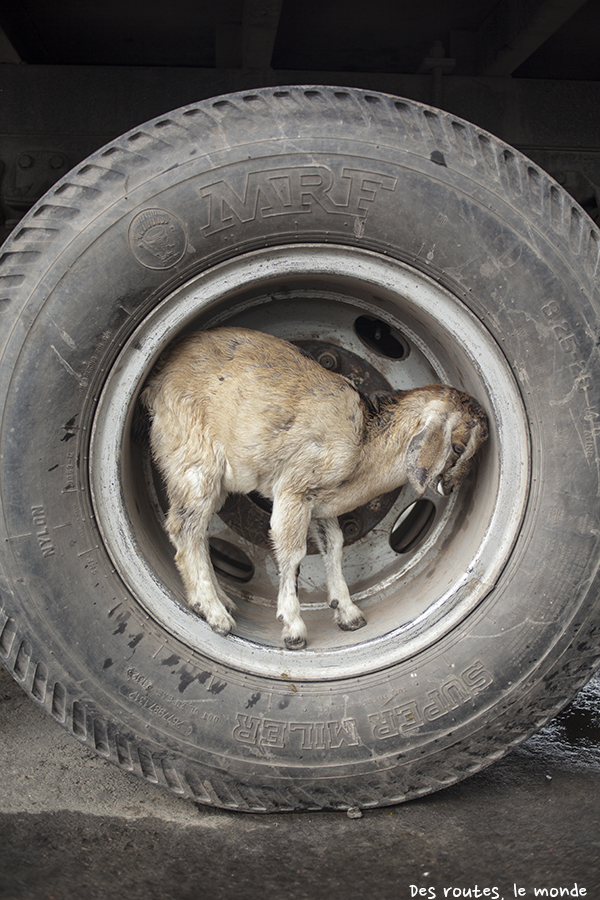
x=452, y=550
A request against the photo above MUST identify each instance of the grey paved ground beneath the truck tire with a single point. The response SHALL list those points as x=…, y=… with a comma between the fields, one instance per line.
x=73, y=827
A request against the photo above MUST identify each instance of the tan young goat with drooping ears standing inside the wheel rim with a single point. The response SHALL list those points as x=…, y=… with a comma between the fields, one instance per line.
x=235, y=410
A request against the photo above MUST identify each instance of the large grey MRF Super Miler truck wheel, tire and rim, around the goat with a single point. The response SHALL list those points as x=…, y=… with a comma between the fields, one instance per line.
x=399, y=245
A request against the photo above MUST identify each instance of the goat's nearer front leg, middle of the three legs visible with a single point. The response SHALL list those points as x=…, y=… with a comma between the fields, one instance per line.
x=289, y=527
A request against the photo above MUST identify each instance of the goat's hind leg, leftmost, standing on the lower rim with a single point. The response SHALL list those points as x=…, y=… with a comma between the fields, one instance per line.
x=187, y=526
